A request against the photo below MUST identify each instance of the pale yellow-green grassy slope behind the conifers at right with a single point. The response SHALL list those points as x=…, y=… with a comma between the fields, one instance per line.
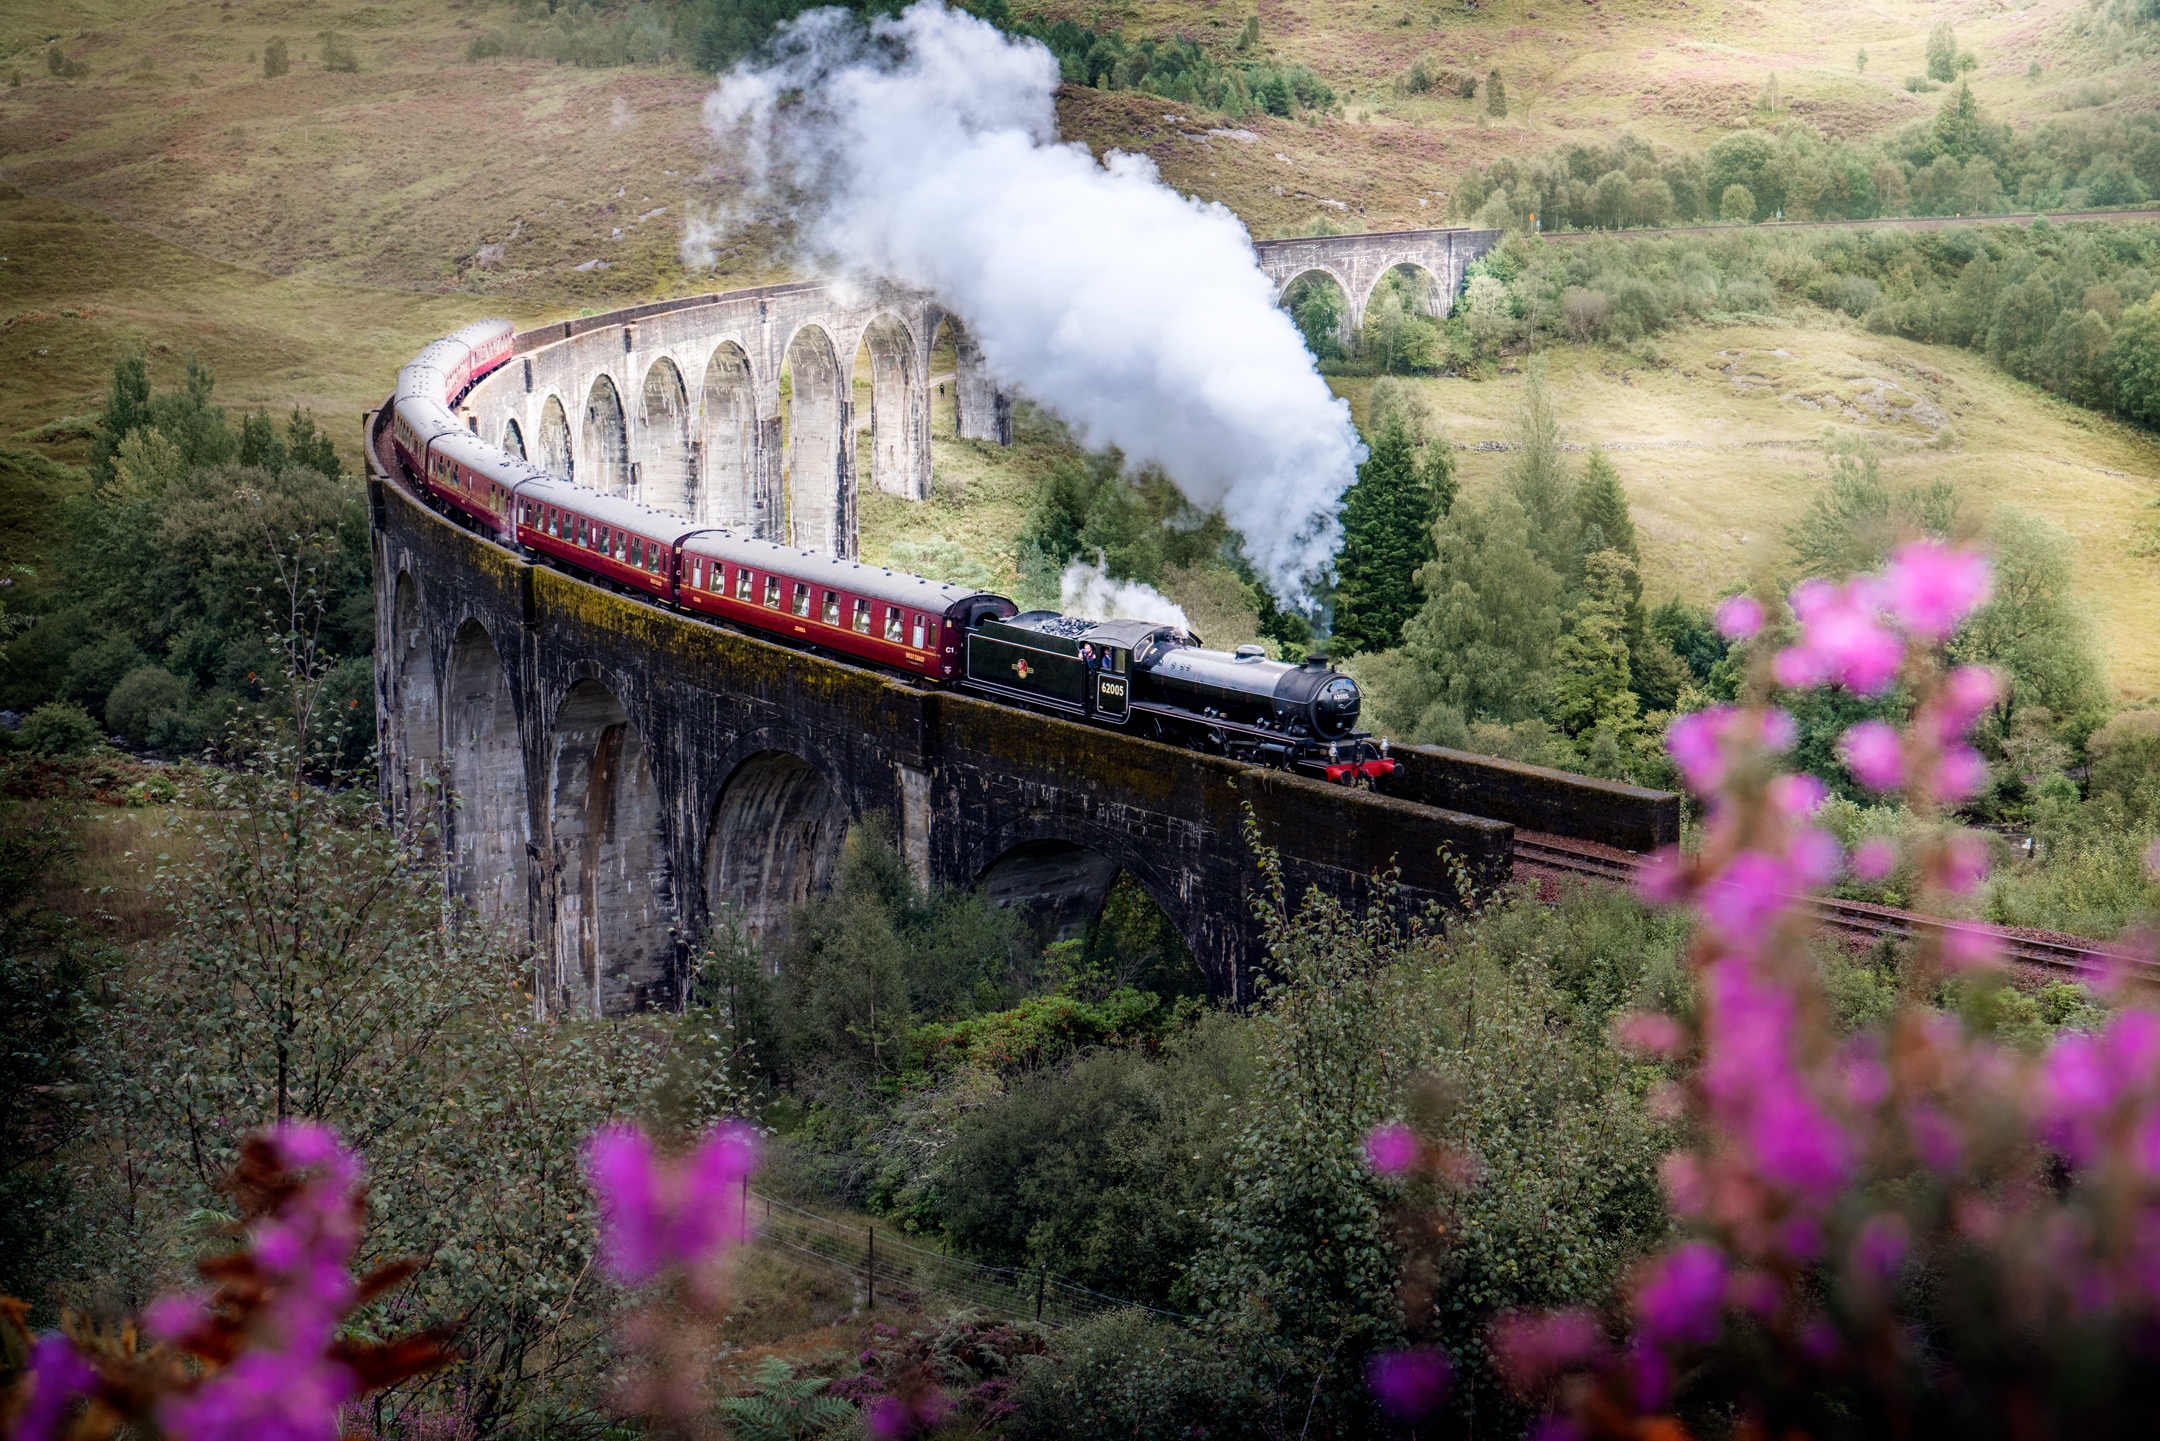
x=1720, y=448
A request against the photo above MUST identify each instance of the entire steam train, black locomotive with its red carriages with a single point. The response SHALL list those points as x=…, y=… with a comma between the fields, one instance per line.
x=1133, y=675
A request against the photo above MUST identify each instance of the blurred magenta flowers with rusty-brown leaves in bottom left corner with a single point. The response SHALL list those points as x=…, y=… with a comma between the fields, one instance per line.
x=258, y=1354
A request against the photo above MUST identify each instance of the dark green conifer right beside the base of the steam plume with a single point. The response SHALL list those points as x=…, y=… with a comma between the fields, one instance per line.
x=1388, y=539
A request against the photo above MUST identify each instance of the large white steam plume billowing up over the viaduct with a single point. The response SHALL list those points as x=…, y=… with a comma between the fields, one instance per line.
x=926, y=150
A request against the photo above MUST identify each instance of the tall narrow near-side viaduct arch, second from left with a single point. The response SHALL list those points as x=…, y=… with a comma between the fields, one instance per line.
x=487, y=775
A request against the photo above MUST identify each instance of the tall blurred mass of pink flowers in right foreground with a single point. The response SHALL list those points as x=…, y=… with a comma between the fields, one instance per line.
x=1833, y=1170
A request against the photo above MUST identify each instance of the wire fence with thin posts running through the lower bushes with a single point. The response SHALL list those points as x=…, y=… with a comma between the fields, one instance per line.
x=882, y=1267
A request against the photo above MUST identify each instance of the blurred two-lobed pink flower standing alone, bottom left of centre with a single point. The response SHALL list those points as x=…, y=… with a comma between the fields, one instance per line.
x=666, y=1213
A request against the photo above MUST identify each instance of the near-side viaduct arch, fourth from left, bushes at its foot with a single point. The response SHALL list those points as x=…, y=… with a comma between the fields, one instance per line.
x=774, y=841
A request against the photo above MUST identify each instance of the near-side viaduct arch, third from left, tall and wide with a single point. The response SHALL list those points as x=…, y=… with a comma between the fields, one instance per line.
x=608, y=863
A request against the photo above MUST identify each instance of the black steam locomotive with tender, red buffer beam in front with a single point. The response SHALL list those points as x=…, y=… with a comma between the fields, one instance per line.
x=1159, y=682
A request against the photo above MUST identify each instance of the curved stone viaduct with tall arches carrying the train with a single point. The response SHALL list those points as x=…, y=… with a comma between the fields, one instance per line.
x=608, y=775
